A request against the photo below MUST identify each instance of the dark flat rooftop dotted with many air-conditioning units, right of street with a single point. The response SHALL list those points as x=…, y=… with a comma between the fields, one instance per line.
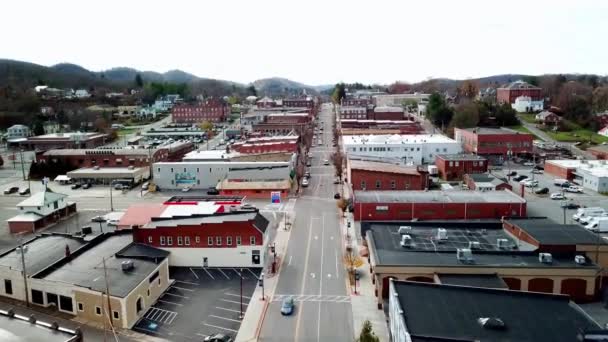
x=427, y=251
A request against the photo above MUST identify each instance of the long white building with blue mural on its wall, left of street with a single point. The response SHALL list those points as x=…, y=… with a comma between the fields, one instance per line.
x=205, y=175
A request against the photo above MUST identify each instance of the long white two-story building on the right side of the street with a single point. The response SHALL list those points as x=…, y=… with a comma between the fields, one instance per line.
x=413, y=149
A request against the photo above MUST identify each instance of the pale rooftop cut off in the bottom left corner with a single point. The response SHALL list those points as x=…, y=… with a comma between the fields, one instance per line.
x=18, y=329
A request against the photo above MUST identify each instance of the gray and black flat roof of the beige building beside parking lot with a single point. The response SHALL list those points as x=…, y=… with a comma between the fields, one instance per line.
x=86, y=270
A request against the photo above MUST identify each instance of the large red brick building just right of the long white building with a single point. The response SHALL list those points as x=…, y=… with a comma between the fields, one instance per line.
x=494, y=143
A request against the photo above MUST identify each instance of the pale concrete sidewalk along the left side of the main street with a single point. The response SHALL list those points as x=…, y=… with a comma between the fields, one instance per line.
x=251, y=325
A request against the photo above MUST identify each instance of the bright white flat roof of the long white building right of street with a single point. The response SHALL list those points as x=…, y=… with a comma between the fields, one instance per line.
x=396, y=139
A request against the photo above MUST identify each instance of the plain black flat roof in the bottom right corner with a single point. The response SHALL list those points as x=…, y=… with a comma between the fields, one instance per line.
x=435, y=312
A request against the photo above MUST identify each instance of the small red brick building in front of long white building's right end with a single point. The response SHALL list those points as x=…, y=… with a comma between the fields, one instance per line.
x=455, y=166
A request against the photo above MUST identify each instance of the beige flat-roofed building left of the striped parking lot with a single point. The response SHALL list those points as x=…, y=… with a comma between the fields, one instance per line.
x=67, y=272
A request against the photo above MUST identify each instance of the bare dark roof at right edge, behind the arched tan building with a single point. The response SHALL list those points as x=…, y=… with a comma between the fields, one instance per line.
x=547, y=232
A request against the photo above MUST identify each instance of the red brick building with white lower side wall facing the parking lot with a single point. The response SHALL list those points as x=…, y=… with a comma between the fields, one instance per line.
x=233, y=239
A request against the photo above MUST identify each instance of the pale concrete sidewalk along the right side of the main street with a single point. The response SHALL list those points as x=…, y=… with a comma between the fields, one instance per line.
x=364, y=302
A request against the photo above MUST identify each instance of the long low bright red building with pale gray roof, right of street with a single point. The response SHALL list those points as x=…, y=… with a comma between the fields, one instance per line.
x=436, y=205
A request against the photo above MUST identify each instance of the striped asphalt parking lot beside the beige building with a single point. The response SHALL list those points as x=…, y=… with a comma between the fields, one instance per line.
x=201, y=302
